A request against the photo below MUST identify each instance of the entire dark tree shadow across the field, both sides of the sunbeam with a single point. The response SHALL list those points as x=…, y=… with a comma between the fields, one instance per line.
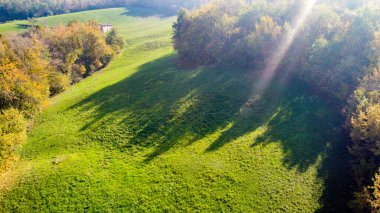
x=162, y=107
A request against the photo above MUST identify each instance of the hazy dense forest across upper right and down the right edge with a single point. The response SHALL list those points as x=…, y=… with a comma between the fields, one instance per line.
x=332, y=45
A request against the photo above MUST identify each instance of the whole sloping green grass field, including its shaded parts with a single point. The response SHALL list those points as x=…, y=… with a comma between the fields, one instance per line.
x=143, y=135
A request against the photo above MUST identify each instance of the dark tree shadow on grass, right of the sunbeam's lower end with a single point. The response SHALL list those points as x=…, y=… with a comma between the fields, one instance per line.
x=308, y=128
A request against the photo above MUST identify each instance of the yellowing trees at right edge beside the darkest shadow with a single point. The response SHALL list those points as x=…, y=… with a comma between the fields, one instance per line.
x=365, y=133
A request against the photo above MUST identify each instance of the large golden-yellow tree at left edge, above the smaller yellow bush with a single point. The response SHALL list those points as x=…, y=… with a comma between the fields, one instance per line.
x=23, y=76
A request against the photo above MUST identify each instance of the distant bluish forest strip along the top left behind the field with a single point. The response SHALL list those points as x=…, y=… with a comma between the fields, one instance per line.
x=23, y=9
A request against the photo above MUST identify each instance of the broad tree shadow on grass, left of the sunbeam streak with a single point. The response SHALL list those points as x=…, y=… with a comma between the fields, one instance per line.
x=159, y=105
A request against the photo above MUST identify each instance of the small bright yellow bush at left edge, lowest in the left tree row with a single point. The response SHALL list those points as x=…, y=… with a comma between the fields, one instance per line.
x=12, y=135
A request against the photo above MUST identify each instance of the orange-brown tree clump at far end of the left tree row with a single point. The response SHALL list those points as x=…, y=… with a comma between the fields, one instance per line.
x=77, y=46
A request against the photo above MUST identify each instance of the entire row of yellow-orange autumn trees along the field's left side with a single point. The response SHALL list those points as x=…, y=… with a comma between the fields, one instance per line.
x=41, y=63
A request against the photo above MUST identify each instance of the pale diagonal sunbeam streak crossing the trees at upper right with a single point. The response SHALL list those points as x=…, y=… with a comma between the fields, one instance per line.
x=276, y=59
